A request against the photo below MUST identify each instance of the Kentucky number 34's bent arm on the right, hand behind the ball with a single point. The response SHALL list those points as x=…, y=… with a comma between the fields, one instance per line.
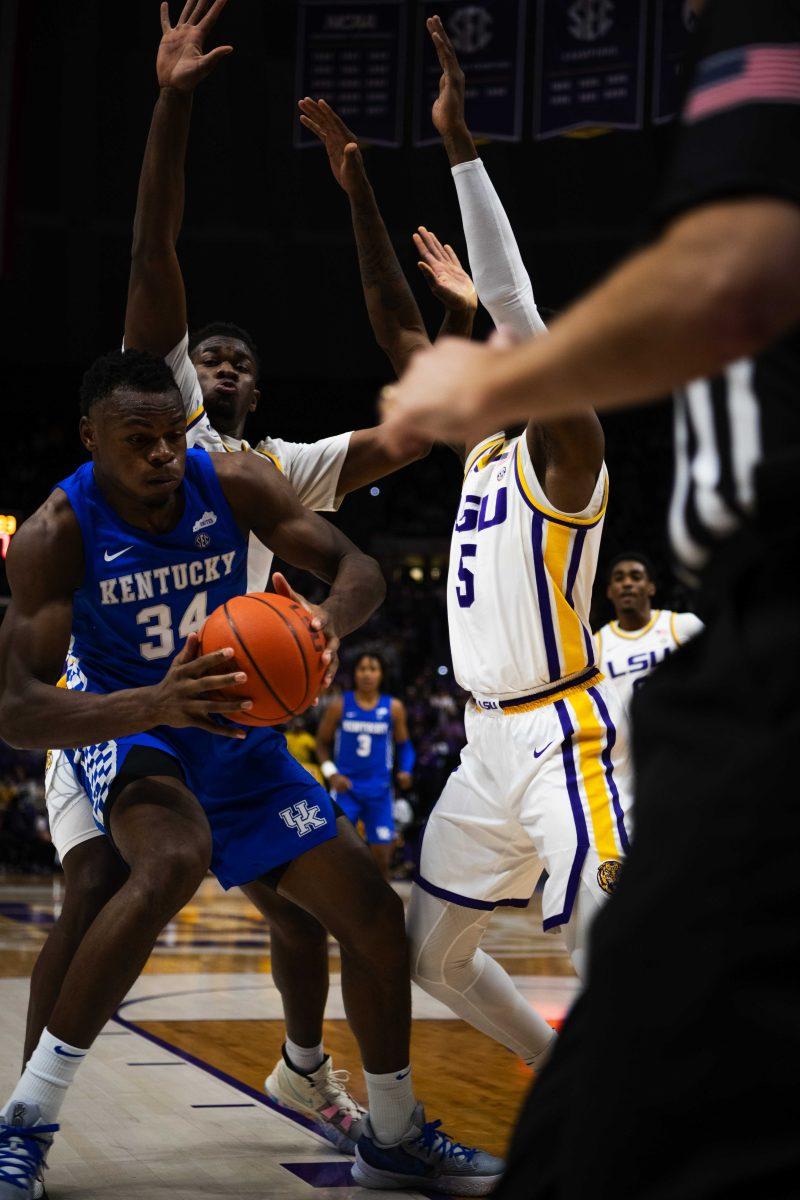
x=266, y=503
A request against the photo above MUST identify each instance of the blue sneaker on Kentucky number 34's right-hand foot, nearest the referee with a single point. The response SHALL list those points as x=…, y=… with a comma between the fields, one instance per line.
x=425, y=1157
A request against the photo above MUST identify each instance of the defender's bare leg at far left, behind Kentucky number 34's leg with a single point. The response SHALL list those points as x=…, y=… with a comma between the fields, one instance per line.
x=93, y=874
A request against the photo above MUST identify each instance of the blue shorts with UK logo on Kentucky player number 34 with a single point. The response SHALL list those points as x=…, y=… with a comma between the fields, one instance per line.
x=264, y=809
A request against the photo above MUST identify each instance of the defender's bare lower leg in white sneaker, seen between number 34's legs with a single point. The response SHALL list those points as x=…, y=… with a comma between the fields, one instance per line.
x=304, y=1078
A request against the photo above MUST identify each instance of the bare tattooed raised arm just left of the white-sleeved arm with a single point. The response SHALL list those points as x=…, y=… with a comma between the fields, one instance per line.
x=394, y=314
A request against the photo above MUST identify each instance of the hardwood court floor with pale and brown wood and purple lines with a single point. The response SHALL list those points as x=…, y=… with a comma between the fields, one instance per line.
x=171, y=1102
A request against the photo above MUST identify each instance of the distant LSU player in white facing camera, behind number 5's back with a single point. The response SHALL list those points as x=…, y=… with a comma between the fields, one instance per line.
x=631, y=646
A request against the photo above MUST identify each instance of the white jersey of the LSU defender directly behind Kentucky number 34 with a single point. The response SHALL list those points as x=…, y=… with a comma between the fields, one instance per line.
x=312, y=469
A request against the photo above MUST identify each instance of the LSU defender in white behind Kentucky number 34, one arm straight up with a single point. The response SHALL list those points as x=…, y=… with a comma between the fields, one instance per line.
x=219, y=380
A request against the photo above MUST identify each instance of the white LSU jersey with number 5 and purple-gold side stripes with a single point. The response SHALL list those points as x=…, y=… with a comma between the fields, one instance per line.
x=521, y=578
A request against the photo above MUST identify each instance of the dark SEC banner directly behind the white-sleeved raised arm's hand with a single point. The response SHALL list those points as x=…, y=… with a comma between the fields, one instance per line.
x=490, y=40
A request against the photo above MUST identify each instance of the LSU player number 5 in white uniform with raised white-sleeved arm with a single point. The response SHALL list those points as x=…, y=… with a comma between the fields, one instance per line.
x=543, y=779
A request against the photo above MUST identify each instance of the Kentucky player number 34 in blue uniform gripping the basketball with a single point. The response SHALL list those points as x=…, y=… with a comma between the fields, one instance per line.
x=117, y=569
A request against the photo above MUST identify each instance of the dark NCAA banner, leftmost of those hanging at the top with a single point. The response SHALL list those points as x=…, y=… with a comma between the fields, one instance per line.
x=353, y=56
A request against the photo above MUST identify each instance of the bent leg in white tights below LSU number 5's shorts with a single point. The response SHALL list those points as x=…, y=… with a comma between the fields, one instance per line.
x=449, y=964
